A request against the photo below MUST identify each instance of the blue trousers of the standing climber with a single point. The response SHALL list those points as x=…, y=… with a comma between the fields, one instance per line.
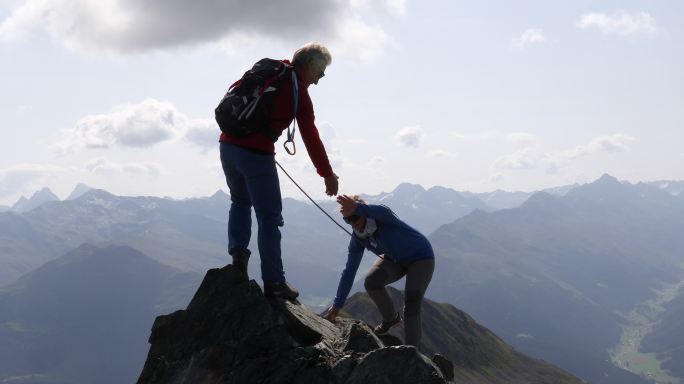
x=253, y=181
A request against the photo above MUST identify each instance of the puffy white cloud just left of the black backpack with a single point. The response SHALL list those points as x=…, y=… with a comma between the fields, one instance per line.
x=140, y=125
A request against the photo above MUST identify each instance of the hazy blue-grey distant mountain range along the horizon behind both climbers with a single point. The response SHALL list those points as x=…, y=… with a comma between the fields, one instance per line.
x=559, y=277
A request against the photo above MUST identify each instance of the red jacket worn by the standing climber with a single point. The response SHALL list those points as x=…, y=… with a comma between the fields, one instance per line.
x=280, y=118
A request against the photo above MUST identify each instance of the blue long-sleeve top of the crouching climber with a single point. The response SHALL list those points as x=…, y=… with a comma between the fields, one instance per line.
x=393, y=239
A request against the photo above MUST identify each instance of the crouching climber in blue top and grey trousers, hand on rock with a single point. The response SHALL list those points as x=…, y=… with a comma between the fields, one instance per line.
x=402, y=251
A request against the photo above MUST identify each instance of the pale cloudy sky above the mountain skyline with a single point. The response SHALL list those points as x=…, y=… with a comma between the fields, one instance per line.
x=470, y=95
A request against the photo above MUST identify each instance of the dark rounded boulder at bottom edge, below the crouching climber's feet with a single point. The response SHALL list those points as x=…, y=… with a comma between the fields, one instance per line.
x=401, y=364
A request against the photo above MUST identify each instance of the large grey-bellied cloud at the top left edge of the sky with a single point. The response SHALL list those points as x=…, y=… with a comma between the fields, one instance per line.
x=138, y=26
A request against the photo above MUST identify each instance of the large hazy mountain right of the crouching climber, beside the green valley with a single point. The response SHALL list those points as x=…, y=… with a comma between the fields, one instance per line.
x=557, y=276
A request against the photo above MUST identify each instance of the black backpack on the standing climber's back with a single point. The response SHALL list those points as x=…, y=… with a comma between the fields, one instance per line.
x=245, y=107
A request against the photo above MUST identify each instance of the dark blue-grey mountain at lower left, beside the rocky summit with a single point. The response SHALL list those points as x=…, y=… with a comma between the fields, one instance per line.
x=85, y=317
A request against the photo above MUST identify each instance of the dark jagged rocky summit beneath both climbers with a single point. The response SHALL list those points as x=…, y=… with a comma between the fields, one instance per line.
x=230, y=333
